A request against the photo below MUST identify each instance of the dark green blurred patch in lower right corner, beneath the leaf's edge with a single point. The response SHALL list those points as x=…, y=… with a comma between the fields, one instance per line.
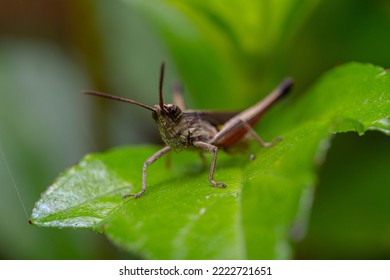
x=350, y=217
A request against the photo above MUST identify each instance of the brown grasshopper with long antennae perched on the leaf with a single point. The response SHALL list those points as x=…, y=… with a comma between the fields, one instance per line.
x=182, y=129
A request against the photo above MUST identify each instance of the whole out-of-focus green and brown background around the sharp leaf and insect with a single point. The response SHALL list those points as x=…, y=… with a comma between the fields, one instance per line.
x=50, y=50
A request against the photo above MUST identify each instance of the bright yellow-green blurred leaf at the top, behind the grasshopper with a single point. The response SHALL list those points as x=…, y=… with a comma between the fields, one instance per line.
x=226, y=52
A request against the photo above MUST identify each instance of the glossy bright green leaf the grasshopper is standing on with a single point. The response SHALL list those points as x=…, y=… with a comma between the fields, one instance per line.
x=266, y=202
